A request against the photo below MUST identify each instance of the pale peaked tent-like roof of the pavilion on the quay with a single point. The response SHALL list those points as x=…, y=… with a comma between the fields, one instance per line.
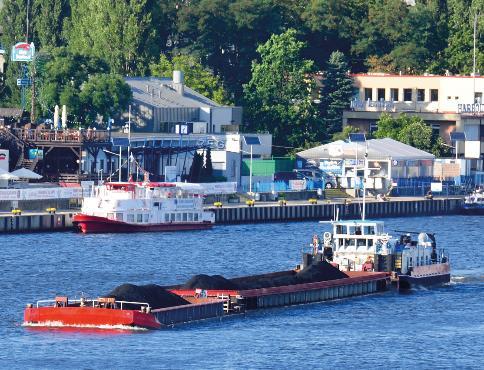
x=378, y=149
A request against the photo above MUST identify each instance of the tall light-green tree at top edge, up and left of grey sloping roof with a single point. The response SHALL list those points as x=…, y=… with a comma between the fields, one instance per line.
x=120, y=32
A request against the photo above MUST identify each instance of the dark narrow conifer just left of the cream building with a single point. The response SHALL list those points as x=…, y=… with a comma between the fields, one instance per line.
x=337, y=92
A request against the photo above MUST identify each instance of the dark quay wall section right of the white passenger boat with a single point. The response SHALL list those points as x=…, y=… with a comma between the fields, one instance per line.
x=326, y=211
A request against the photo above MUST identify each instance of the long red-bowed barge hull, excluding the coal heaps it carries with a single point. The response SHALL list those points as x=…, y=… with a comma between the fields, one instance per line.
x=108, y=312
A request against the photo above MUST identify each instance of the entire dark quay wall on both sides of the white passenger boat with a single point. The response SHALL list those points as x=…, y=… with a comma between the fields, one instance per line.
x=61, y=221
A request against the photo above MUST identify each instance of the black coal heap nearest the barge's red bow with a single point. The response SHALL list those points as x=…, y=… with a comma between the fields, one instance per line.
x=155, y=295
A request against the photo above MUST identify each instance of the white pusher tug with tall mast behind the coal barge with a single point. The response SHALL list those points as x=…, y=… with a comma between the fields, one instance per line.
x=363, y=245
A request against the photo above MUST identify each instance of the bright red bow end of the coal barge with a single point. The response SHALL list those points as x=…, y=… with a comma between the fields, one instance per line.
x=88, y=317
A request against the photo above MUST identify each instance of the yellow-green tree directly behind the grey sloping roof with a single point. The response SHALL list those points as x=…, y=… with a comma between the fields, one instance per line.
x=197, y=77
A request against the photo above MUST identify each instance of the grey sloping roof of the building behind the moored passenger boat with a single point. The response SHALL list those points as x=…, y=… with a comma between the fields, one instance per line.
x=160, y=93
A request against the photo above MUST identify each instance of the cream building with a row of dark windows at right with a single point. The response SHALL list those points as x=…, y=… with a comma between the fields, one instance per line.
x=447, y=103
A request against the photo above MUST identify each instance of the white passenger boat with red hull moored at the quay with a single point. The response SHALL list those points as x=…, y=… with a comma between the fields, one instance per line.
x=142, y=206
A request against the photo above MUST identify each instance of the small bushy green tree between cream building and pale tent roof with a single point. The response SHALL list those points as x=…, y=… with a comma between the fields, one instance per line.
x=411, y=130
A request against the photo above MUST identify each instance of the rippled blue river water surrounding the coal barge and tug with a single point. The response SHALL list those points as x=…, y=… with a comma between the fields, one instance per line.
x=434, y=328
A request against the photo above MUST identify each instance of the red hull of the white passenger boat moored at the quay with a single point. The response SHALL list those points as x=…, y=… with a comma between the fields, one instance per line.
x=94, y=224
